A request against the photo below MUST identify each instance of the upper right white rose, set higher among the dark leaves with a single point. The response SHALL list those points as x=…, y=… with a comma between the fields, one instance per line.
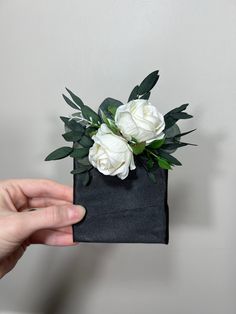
x=141, y=120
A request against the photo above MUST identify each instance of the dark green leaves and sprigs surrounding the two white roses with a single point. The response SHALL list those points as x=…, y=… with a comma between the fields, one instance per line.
x=85, y=122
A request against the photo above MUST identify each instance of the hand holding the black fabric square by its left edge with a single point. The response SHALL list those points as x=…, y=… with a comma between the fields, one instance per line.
x=49, y=224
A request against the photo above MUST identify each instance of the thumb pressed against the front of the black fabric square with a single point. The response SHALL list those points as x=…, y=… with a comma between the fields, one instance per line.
x=45, y=218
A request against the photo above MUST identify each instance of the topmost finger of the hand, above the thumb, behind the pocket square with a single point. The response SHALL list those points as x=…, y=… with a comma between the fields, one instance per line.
x=32, y=188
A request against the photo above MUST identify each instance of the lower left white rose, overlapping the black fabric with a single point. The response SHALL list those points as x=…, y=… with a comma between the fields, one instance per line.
x=111, y=154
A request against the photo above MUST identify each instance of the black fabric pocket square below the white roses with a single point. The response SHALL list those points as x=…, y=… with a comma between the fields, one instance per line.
x=133, y=210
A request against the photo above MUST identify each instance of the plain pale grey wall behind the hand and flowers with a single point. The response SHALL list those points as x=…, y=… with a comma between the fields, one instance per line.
x=104, y=48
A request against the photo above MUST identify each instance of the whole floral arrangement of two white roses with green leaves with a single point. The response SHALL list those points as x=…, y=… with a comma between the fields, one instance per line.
x=121, y=135
